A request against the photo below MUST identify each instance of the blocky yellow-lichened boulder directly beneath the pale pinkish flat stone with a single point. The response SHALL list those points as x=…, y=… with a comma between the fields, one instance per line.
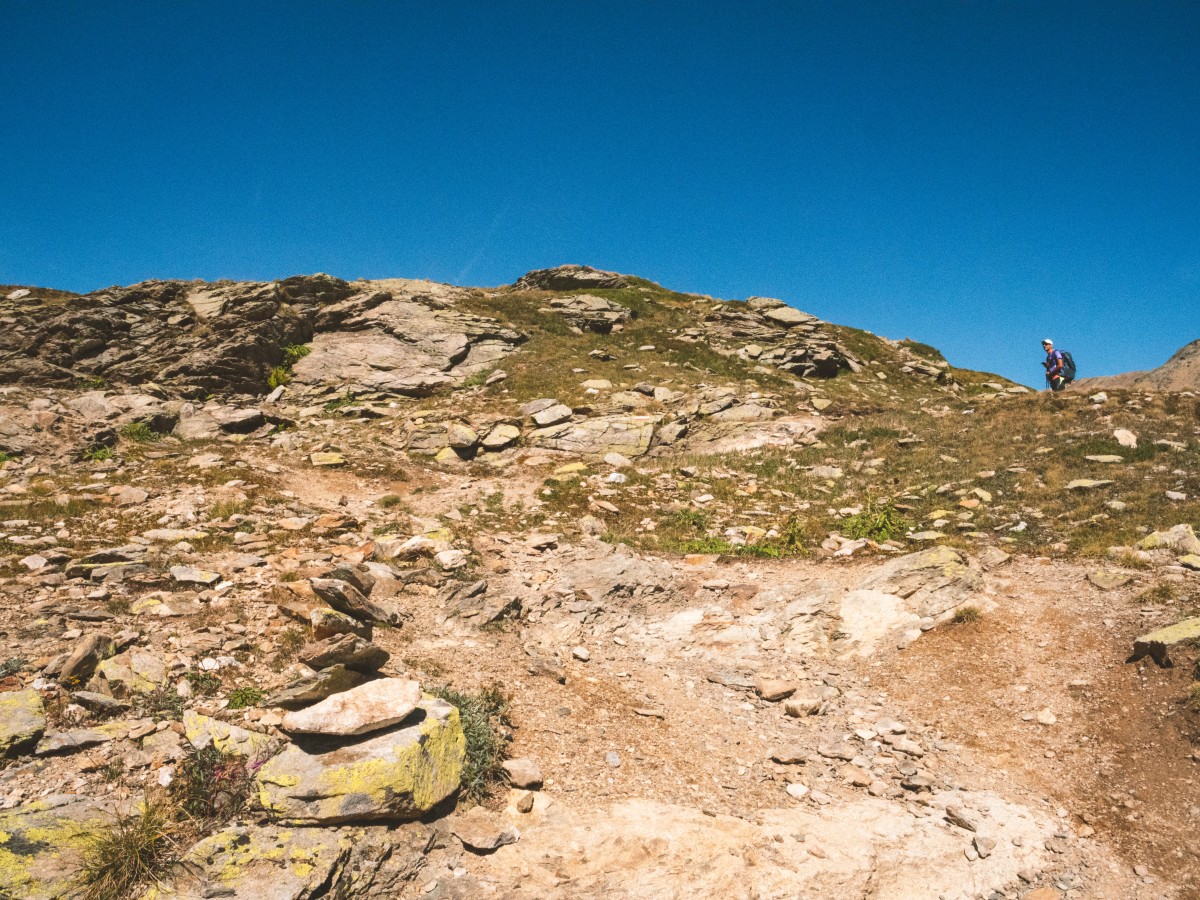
x=398, y=775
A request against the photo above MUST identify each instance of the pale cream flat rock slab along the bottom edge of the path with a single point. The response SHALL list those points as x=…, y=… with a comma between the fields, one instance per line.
x=868, y=848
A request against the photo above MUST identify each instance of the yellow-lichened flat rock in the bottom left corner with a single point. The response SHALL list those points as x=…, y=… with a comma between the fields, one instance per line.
x=43, y=845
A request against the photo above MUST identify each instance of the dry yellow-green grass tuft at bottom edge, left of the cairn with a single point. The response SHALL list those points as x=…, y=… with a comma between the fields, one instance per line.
x=135, y=851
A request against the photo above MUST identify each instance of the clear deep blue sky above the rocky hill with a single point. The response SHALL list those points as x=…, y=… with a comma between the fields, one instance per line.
x=977, y=176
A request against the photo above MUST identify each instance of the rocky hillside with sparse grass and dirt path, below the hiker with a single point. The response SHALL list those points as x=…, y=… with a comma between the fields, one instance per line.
x=580, y=587
